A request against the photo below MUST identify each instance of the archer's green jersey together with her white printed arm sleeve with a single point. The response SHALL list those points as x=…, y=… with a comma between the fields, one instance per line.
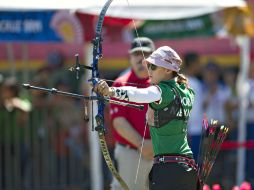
x=168, y=124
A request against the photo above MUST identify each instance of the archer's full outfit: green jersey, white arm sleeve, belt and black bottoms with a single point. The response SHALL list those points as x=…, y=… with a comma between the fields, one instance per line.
x=169, y=109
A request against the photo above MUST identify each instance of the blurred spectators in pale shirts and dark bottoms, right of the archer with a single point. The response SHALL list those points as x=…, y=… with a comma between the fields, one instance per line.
x=217, y=96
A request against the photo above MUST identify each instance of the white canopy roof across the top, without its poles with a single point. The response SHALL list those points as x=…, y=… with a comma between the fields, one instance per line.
x=136, y=9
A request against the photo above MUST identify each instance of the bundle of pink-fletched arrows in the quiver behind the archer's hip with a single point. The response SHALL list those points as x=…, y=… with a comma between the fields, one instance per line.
x=213, y=135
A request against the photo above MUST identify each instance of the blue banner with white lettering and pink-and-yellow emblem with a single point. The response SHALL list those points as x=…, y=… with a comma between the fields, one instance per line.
x=40, y=26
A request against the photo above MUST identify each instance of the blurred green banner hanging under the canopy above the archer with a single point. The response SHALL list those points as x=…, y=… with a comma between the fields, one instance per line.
x=173, y=29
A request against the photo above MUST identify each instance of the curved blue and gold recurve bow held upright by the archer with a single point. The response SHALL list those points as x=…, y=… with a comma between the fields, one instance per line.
x=97, y=54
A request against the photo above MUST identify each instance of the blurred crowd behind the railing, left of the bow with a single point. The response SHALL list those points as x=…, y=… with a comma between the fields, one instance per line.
x=43, y=141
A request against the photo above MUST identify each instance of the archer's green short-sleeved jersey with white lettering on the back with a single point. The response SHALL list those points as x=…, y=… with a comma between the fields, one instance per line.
x=171, y=137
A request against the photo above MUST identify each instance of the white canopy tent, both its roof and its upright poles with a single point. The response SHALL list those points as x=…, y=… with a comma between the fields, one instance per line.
x=146, y=9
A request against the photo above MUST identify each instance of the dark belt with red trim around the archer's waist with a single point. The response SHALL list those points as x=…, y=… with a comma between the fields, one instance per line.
x=175, y=159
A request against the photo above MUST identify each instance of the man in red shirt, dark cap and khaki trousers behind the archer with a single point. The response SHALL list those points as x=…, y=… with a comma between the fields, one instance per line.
x=129, y=129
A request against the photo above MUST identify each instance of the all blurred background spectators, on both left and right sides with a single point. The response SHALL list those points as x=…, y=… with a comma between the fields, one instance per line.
x=39, y=130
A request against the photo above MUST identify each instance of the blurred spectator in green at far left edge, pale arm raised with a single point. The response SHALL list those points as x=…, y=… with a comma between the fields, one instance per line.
x=13, y=121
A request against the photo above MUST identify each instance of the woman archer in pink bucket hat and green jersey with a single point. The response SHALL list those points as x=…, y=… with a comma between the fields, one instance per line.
x=170, y=102
